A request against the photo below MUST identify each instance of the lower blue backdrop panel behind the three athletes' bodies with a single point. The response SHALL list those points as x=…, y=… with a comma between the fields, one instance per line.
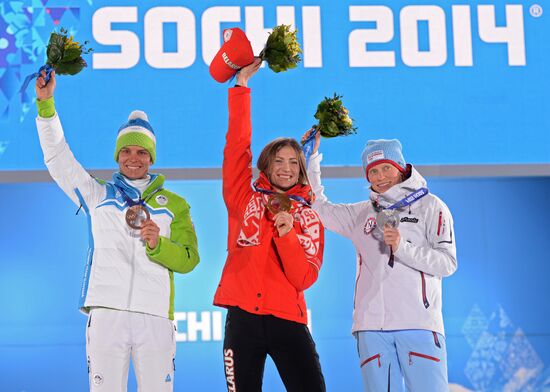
x=496, y=310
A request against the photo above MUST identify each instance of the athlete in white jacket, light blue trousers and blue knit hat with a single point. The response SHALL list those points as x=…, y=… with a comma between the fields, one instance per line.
x=397, y=318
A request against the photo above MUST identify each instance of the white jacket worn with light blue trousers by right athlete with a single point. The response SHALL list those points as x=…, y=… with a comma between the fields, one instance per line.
x=407, y=295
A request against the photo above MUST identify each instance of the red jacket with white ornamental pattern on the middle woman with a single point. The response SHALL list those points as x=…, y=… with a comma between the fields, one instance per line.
x=263, y=273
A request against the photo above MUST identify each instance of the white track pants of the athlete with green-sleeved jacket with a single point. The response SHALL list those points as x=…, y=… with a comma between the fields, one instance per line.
x=112, y=336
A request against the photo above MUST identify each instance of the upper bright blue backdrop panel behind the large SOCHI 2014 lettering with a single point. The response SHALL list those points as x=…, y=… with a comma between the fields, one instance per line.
x=490, y=110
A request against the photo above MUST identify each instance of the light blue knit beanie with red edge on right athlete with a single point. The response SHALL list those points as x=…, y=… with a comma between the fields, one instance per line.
x=383, y=151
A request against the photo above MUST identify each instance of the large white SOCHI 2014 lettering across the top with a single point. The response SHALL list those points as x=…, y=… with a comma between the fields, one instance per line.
x=449, y=31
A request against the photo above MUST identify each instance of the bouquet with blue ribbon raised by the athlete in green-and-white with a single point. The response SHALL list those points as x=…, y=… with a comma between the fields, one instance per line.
x=64, y=55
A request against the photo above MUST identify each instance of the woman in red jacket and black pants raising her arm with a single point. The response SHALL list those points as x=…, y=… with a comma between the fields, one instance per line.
x=272, y=257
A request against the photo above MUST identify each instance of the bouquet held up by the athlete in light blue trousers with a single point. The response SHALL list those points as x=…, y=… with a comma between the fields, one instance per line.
x=333, y=120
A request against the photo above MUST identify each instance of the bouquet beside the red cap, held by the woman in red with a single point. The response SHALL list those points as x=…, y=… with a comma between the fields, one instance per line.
x=282, y=50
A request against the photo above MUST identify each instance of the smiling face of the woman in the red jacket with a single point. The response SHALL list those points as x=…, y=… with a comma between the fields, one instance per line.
x=284, y=169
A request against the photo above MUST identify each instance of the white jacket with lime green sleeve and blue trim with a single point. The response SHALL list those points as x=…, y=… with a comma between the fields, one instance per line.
x=121, y=272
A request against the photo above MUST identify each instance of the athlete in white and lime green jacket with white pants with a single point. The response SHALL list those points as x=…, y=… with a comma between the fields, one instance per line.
x=128, y=287
